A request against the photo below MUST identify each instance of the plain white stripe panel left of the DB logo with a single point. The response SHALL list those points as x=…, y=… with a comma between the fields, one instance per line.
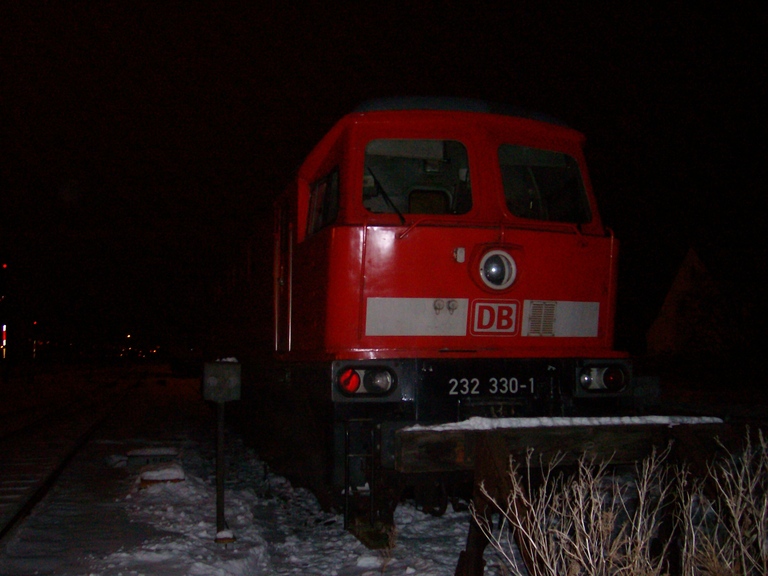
x=416, y=317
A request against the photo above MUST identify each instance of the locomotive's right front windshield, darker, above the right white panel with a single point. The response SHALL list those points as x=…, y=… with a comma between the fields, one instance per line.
x=543, y=185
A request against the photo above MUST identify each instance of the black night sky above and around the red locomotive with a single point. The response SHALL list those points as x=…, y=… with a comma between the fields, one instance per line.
x=143, y=142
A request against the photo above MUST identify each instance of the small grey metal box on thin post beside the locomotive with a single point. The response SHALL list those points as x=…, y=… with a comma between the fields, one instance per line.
x=221, y=384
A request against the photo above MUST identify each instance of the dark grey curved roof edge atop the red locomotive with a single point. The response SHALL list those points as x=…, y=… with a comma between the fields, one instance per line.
x=451, y=104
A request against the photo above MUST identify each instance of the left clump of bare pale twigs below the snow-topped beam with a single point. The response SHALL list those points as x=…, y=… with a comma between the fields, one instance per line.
x=590, y=522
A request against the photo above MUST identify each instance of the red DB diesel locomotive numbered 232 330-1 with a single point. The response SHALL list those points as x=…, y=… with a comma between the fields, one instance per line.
x=437, y=260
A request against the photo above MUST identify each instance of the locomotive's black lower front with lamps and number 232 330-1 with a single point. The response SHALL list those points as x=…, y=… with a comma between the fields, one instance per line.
x=374, y=399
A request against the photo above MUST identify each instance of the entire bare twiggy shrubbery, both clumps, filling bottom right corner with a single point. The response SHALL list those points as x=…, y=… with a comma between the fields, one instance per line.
x=594, y=523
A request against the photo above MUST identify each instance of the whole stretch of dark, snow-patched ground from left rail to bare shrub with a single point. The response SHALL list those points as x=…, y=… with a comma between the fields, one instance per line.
x=108, y=516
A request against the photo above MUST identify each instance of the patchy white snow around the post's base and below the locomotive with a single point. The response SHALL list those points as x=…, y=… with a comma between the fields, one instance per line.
x=278, y=529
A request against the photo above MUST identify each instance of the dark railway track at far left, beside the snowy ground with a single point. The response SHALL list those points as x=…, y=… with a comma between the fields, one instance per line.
x=37, y=442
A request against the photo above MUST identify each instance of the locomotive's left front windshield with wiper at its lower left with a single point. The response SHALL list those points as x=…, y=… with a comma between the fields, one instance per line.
x=416, y=177
